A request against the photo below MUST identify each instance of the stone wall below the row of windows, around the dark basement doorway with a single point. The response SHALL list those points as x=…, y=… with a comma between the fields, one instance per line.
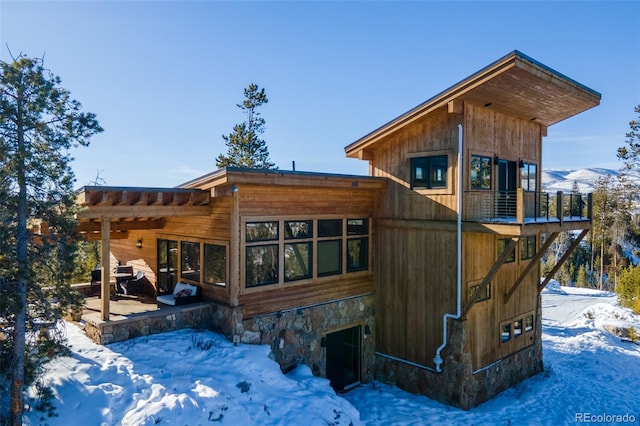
x=295, y=336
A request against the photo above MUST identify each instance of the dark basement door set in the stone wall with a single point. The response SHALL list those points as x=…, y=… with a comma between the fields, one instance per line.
x=343, y=358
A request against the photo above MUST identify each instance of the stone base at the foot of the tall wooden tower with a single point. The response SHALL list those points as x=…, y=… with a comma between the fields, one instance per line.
x=457, y=384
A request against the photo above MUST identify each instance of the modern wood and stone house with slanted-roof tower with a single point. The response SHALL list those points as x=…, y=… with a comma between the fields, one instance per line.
x=424, y=274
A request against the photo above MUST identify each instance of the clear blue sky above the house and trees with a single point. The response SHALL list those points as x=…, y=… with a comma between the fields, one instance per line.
x=164, y=77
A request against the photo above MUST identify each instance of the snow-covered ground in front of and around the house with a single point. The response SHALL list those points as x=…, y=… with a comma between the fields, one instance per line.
x=199, y=378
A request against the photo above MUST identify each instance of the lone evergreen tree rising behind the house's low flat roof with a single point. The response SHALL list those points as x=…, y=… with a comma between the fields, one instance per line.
x=245, y=148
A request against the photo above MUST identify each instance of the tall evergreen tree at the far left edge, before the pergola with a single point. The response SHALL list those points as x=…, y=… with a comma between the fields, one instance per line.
x=39, y=123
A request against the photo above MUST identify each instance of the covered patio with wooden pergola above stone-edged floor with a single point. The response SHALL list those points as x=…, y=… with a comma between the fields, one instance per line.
x=109, y=213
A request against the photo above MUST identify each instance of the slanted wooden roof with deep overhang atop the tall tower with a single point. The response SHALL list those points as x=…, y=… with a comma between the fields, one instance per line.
x=516, y=85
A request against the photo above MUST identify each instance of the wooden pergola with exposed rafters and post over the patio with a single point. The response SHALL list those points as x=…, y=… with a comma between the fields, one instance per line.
x=108, y=213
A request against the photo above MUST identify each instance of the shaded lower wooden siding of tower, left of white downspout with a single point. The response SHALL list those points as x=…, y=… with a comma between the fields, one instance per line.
x=415, y=287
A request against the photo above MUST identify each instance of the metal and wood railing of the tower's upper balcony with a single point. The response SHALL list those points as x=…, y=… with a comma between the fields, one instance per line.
x=525, y=207
